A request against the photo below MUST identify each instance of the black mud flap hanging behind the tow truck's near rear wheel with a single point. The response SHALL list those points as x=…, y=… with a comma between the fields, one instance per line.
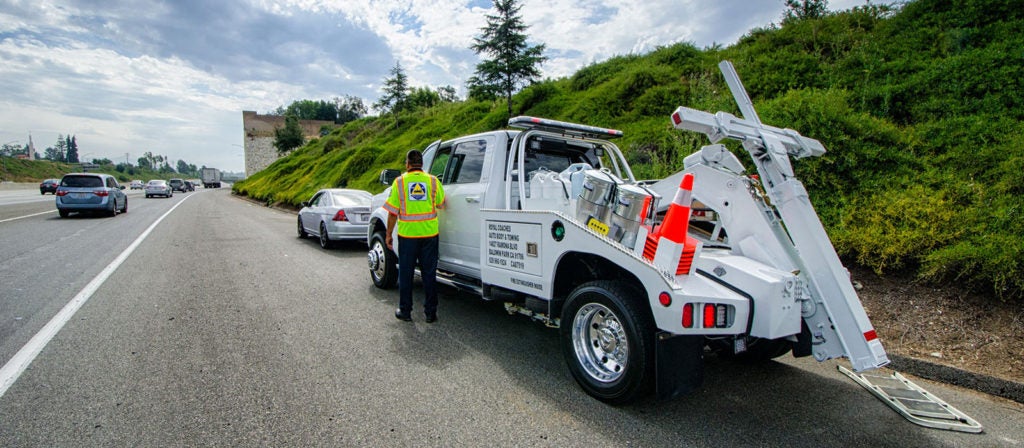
x=679, y=366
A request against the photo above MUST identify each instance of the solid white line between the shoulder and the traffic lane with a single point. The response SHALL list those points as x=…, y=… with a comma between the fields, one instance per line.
x=17, y=366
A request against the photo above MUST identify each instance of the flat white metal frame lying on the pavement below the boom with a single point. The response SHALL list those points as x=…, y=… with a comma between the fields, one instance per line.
x=915, y=404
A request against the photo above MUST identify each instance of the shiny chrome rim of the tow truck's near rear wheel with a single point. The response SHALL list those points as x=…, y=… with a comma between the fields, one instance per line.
x=601, y=343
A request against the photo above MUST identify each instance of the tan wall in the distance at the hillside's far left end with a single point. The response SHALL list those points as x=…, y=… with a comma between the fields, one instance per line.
x=259, y=133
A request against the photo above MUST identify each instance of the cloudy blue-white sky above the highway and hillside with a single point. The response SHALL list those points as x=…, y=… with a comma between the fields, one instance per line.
x=173, y=77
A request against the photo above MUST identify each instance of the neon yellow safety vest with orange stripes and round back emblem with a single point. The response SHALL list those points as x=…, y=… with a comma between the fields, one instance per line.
x=415, y=198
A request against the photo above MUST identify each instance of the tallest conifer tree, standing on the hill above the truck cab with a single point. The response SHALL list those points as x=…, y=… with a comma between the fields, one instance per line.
x=514, y=64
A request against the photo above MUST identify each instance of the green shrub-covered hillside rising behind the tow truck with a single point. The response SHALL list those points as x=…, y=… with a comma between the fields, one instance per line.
x=920, y=109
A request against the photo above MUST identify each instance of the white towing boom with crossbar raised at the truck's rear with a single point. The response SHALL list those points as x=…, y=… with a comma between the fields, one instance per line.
x=836, y=319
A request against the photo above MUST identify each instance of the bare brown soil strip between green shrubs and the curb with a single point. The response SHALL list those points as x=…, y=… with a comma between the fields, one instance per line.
x=945, y=326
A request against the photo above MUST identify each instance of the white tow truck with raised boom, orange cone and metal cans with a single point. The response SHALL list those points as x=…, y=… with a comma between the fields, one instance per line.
x=550, y=220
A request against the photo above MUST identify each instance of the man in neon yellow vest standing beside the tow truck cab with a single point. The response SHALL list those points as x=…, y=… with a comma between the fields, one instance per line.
x=413, y=206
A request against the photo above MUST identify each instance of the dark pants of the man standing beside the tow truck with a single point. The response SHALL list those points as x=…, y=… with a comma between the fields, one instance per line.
x=423, y=251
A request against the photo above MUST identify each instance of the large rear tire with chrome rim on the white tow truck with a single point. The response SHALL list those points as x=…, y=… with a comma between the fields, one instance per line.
x=608, y=340
